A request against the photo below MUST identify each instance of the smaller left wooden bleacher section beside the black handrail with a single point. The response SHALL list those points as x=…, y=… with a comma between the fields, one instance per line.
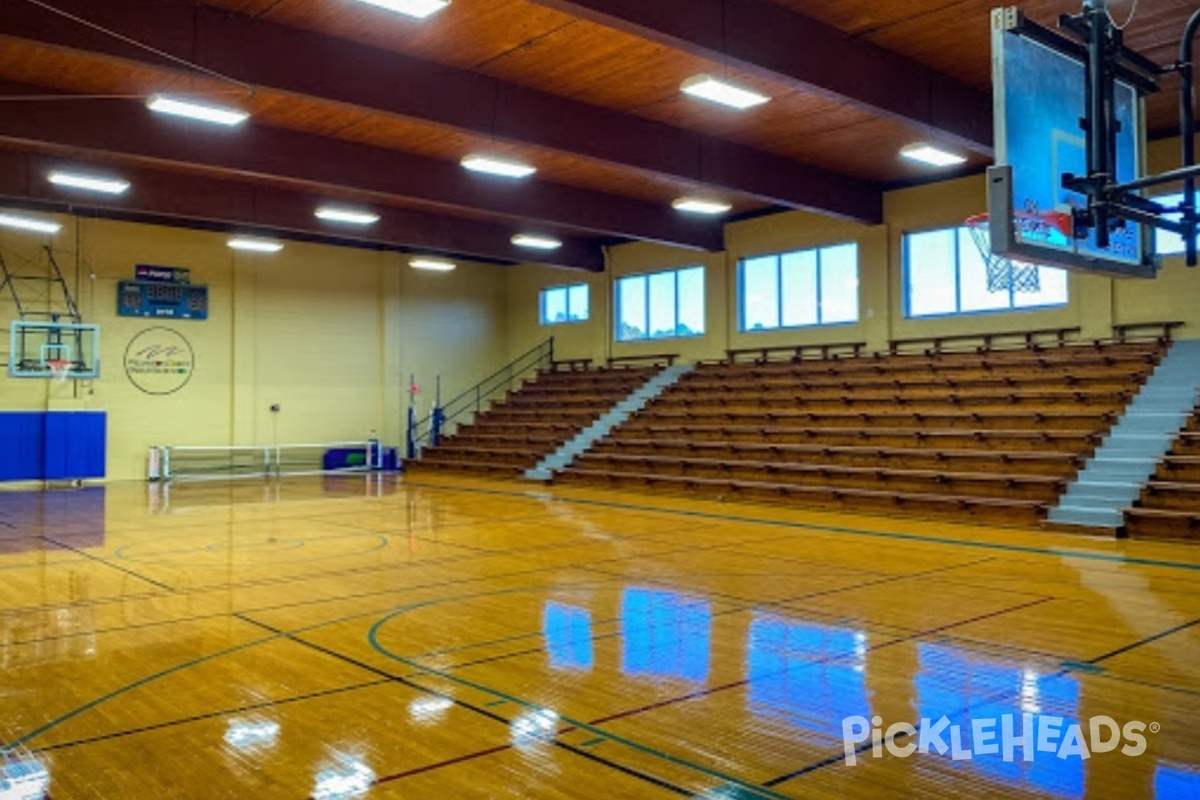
x=533, y=422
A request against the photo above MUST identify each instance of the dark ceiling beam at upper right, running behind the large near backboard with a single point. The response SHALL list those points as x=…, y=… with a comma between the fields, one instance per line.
x=770, y=40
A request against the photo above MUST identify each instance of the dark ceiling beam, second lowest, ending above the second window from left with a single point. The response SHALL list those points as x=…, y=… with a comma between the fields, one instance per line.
x=128, y=129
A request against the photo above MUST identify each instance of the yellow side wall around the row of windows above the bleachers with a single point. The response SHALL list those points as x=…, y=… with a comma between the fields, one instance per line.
x=1095, y=305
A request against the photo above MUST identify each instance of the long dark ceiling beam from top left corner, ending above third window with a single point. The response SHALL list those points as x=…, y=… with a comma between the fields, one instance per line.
x=268, y=55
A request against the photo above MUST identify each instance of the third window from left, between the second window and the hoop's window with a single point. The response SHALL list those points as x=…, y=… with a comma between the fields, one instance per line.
x=813, y=287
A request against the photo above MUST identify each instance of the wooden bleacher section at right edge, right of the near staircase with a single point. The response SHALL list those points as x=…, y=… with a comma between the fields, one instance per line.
x=1169, y=507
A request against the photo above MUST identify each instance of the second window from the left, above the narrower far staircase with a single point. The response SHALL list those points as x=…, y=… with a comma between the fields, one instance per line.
x=662, y=305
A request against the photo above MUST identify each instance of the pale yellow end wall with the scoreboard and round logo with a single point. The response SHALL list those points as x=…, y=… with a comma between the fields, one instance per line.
x=329, y=334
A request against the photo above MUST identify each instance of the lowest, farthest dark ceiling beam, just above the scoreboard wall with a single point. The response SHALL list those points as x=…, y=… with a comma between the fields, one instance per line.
x=239, y=207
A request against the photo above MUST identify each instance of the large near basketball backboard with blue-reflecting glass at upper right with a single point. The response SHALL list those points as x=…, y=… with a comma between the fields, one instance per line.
x=1040, y=91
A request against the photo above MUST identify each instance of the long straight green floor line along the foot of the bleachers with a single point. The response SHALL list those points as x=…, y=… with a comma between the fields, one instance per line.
x=833, y=530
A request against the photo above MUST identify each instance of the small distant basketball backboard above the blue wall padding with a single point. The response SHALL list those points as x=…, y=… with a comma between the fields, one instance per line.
x=37, y=347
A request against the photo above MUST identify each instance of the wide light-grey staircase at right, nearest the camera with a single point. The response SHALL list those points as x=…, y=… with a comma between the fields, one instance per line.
x=1114, y=478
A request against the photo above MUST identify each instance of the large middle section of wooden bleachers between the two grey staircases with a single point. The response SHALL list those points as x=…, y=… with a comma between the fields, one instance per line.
x=981, y=434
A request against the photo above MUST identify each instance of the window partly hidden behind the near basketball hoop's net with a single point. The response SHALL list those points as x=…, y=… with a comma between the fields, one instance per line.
x=945, y=274
